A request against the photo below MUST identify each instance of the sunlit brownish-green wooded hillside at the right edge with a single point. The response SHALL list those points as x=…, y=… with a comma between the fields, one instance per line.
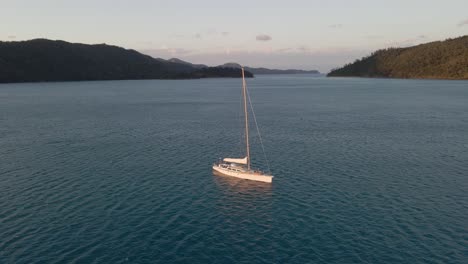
x=435, y=60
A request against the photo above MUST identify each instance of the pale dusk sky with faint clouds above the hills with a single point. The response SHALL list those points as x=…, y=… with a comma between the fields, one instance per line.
x=276, y=34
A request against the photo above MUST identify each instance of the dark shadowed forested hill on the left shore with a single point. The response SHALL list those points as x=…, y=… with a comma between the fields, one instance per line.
x=42, y=60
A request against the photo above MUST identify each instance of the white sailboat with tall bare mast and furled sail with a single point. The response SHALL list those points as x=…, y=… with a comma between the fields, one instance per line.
x=240, y=167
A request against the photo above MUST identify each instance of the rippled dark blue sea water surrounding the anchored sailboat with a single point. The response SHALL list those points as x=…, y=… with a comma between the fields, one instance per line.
x=366, y=171
